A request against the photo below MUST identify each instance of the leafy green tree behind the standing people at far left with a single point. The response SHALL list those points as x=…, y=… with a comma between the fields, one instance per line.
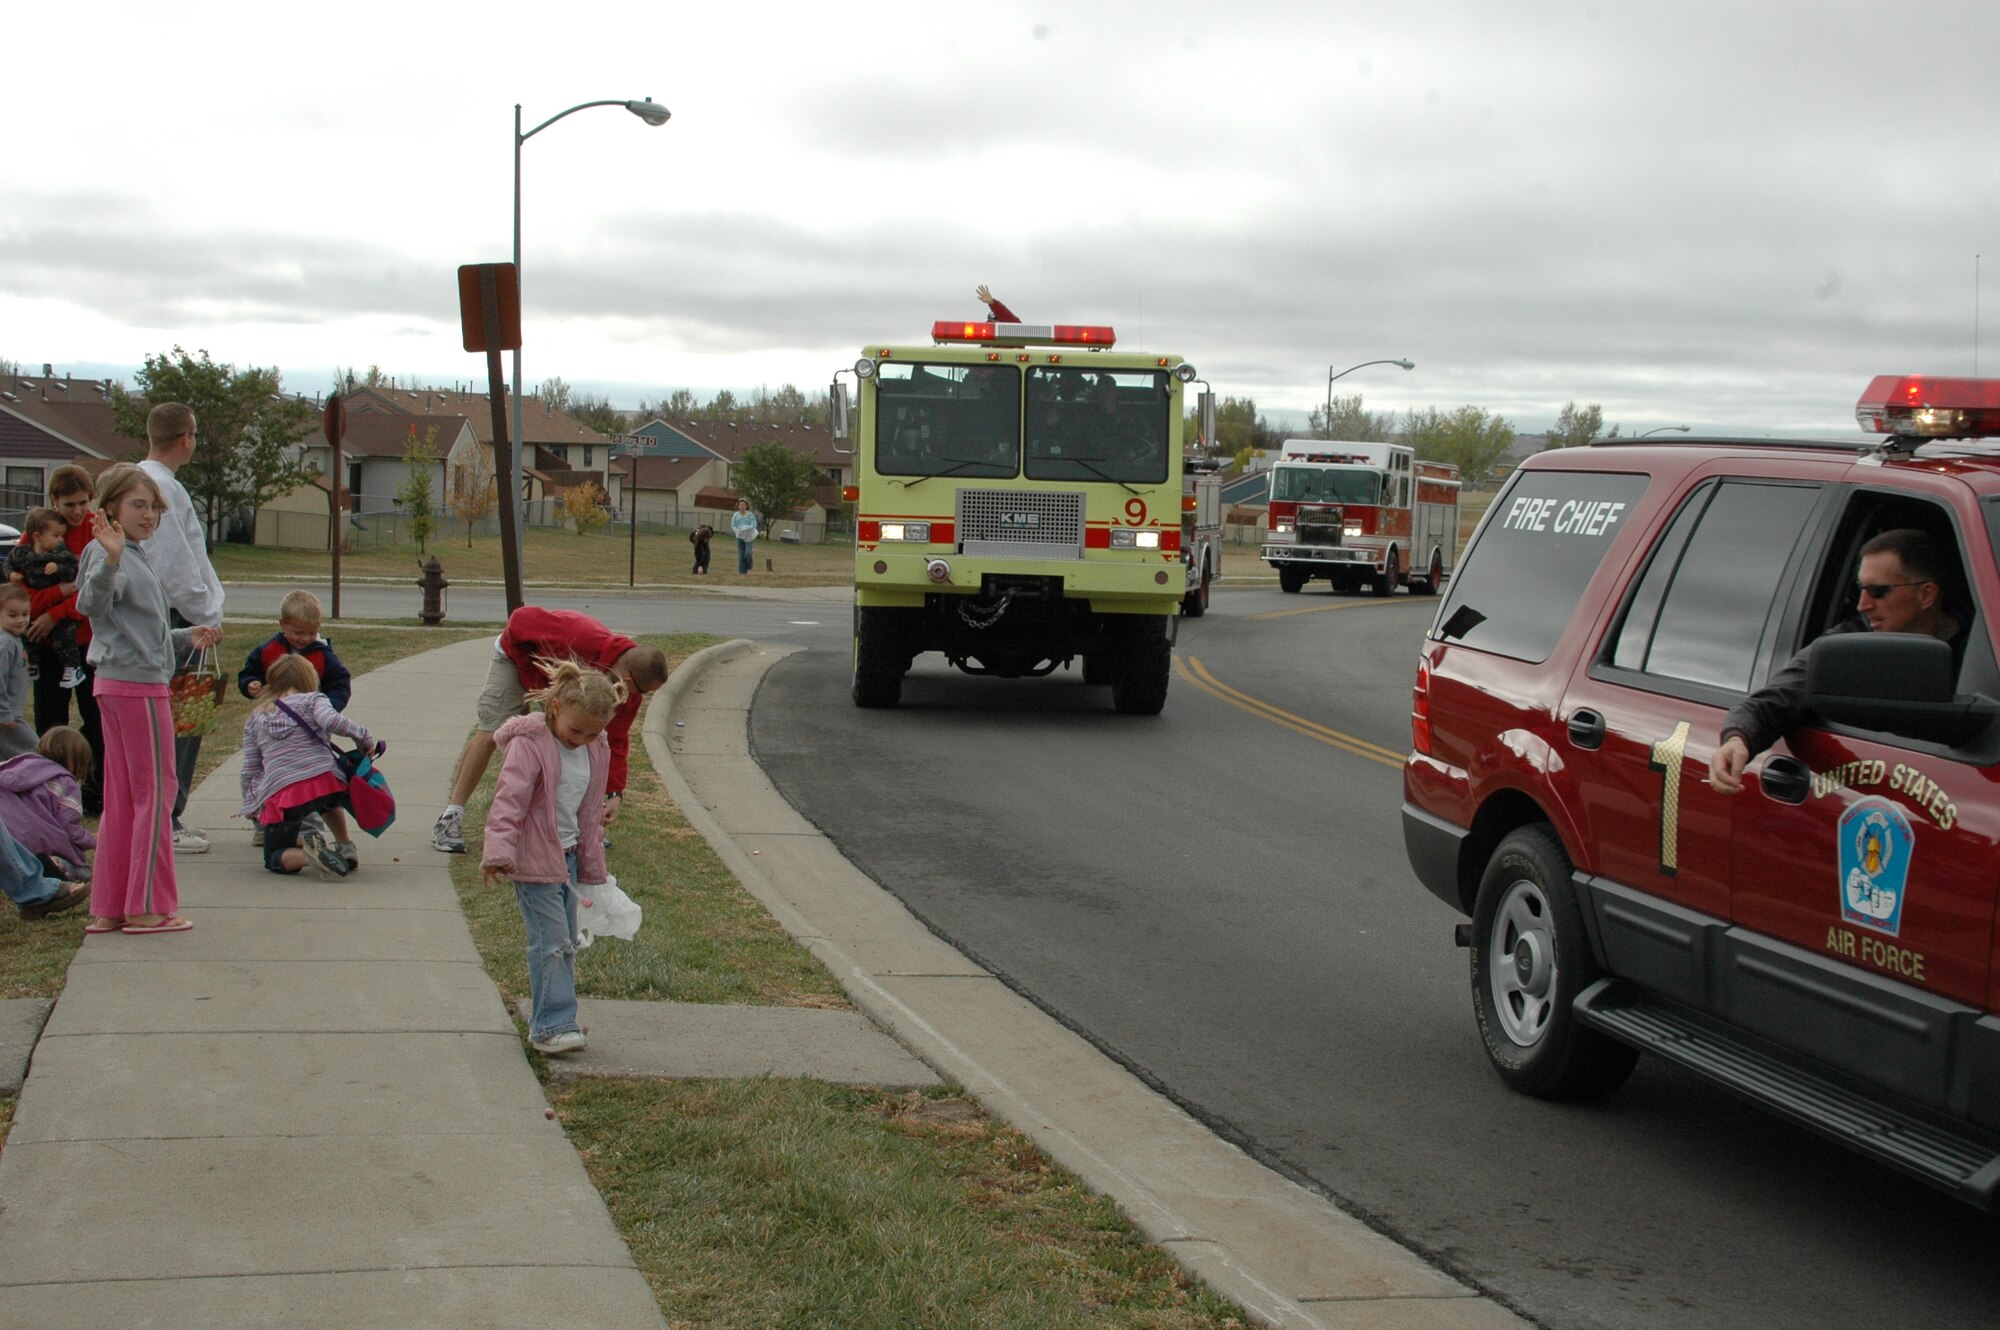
x=247, y=431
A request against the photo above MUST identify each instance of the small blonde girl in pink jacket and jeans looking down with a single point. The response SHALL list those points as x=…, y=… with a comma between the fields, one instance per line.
x=547, y=833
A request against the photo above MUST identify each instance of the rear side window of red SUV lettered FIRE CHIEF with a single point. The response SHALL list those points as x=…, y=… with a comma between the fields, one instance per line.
x=1519, y=583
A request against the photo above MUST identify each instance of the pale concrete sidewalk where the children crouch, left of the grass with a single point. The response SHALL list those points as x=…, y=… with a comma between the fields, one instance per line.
x=311, y=1111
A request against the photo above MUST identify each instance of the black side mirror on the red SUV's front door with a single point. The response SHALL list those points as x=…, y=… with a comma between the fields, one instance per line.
x=1899, y=683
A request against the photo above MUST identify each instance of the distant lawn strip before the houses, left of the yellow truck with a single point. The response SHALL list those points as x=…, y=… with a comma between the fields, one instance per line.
x=553, y=557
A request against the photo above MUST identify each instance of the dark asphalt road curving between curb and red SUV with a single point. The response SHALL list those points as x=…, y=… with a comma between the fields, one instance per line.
x=1219, y=897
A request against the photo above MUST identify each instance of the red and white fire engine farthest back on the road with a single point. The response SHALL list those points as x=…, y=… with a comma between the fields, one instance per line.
x=1361, y=513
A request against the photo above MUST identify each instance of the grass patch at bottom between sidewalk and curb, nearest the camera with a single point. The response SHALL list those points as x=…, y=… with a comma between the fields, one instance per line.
x=793, y=1203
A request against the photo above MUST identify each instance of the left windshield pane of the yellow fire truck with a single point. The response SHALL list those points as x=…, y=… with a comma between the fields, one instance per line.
x=947, y=421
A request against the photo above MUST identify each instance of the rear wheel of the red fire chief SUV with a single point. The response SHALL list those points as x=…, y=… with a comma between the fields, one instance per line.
x=1529, y=963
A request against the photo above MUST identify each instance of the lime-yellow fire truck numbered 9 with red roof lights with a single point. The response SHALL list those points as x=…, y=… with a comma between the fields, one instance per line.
x=1017, y=507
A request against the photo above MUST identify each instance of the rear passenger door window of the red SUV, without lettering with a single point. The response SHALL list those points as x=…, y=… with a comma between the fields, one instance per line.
x=1705, y=601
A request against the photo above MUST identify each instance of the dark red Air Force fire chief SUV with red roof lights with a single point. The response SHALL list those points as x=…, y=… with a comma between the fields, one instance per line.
x=1821, y=941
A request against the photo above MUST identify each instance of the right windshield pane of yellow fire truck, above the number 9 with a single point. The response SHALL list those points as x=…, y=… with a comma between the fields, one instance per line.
x=1099, y=425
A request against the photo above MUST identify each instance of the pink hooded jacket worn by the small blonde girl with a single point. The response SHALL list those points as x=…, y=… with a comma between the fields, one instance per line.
x=521, y=827
